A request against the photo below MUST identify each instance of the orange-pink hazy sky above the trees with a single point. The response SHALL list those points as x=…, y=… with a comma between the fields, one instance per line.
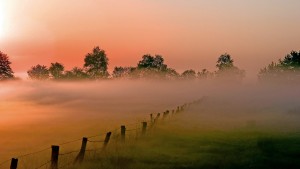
x=189, y=34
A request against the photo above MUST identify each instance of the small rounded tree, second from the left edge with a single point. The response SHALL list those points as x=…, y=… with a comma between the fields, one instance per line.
x=38, y=72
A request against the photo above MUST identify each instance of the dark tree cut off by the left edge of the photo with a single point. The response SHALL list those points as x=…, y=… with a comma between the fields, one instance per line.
x=5, y=69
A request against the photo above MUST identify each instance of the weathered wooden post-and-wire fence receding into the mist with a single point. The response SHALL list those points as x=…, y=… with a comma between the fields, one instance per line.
x=154, y=117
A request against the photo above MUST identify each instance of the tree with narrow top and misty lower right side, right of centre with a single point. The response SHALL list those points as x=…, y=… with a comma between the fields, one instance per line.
x=226, y=69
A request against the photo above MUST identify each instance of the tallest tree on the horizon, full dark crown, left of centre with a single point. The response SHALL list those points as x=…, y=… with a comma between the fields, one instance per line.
x=96, y=64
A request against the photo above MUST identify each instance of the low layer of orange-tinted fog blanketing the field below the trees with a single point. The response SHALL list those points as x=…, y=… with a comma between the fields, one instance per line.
x=39, y=114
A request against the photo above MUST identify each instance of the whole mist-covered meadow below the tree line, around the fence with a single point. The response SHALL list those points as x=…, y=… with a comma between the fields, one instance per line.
x=236, y=126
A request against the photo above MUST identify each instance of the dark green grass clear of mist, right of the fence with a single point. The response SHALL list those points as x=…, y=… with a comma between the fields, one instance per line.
x=166, y=149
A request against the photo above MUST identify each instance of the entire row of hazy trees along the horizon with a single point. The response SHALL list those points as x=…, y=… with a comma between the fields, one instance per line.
x=96, y=67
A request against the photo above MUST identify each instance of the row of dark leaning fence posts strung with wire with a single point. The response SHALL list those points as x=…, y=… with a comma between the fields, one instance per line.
x=118, y=135
